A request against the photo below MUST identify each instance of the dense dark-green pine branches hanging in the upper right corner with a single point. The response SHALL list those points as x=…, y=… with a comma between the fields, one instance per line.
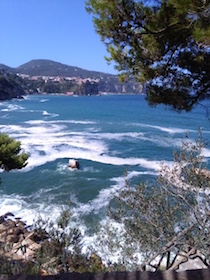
x=164, y=43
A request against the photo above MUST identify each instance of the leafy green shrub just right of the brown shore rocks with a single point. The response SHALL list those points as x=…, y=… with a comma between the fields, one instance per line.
x=61, y=249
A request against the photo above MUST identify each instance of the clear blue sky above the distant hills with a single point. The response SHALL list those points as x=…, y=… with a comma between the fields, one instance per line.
x=60, y=30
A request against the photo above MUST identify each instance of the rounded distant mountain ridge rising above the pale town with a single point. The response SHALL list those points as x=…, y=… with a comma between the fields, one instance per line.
x=44, y=67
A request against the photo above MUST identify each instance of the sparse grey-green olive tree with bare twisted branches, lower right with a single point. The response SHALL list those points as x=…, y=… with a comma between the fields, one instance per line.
x=168, y=221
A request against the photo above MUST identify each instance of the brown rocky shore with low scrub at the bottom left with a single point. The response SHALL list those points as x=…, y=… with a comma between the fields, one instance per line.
x=27, y=249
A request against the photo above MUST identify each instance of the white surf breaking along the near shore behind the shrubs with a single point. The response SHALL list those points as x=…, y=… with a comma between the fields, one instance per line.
x=30, y=213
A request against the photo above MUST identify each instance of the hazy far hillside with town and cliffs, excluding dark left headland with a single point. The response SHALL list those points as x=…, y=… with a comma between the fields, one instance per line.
x=70, y=79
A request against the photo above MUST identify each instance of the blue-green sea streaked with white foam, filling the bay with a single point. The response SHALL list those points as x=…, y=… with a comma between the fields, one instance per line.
x=115, y=138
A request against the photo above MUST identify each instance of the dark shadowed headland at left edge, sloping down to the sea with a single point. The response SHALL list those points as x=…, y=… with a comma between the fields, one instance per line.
x=9, y=86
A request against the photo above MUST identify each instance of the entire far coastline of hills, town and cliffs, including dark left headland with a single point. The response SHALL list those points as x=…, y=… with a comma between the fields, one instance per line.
x=43, y=76
